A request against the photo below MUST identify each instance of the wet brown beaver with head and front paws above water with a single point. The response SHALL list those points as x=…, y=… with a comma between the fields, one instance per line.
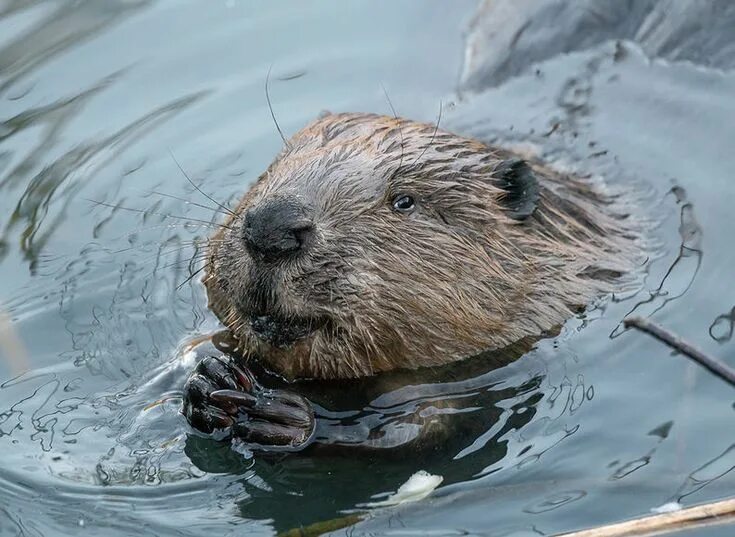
x=374, y=243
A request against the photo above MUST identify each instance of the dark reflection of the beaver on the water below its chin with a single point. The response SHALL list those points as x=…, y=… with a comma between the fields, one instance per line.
x=449, y=421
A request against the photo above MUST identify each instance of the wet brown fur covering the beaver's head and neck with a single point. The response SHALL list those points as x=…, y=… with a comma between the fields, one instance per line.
x=454, y=278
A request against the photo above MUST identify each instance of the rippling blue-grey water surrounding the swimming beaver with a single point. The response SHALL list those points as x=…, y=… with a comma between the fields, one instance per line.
x=590, y=427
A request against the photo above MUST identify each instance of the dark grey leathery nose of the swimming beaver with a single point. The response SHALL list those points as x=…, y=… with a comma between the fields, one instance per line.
x=278, y=227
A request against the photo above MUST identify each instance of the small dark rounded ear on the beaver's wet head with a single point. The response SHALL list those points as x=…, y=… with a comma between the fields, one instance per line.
x=521, y=188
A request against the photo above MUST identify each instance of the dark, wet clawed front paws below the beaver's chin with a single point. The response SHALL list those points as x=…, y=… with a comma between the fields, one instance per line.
x=223, y=397
